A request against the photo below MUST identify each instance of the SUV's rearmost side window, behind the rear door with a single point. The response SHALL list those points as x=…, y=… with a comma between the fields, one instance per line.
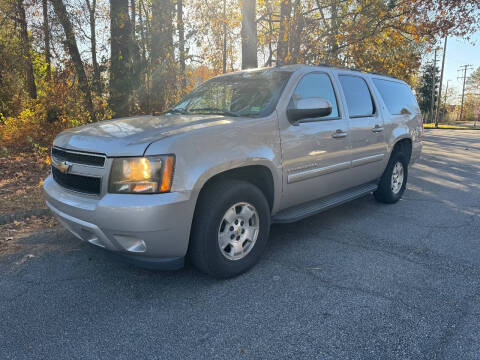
x=395, y=95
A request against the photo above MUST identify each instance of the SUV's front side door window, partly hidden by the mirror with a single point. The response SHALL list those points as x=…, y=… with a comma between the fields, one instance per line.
x=316, y=85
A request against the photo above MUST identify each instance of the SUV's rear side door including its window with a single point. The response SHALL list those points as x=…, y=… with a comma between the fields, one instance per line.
x=367, y=135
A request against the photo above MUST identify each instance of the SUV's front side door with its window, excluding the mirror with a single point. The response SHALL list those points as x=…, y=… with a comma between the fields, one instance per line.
x=316, y=154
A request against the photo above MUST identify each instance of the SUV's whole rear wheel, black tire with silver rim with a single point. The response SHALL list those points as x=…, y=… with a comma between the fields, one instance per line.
x=394, y=180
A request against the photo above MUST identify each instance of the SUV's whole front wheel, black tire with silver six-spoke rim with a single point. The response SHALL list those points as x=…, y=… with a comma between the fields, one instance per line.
x=230, y=228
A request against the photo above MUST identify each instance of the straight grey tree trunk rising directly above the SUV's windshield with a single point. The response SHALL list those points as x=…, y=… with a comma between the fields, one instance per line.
x=249, y=35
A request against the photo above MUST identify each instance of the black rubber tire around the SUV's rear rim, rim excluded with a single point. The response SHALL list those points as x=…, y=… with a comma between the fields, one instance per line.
x=384, y=192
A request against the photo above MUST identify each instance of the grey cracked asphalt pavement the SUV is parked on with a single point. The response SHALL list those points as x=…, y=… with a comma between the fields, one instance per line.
x=362, y=281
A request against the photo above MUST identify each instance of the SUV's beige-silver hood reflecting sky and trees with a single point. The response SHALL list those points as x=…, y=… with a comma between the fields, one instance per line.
x=131, y=136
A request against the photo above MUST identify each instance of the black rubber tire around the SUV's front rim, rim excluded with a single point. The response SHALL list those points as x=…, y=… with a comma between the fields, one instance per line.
x=213, y=202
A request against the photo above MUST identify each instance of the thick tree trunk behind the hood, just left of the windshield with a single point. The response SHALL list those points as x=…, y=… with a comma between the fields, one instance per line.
x=162, y=54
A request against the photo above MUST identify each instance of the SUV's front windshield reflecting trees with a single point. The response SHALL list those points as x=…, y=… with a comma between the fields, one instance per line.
x=245, y=94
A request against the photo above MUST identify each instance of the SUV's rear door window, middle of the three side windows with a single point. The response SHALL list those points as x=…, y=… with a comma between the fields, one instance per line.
x=357, y=94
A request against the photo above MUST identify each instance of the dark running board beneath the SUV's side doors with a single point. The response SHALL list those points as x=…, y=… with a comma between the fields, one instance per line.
x=299, y=212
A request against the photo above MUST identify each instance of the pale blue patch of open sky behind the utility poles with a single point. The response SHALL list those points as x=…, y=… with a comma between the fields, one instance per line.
x=459, y=52
